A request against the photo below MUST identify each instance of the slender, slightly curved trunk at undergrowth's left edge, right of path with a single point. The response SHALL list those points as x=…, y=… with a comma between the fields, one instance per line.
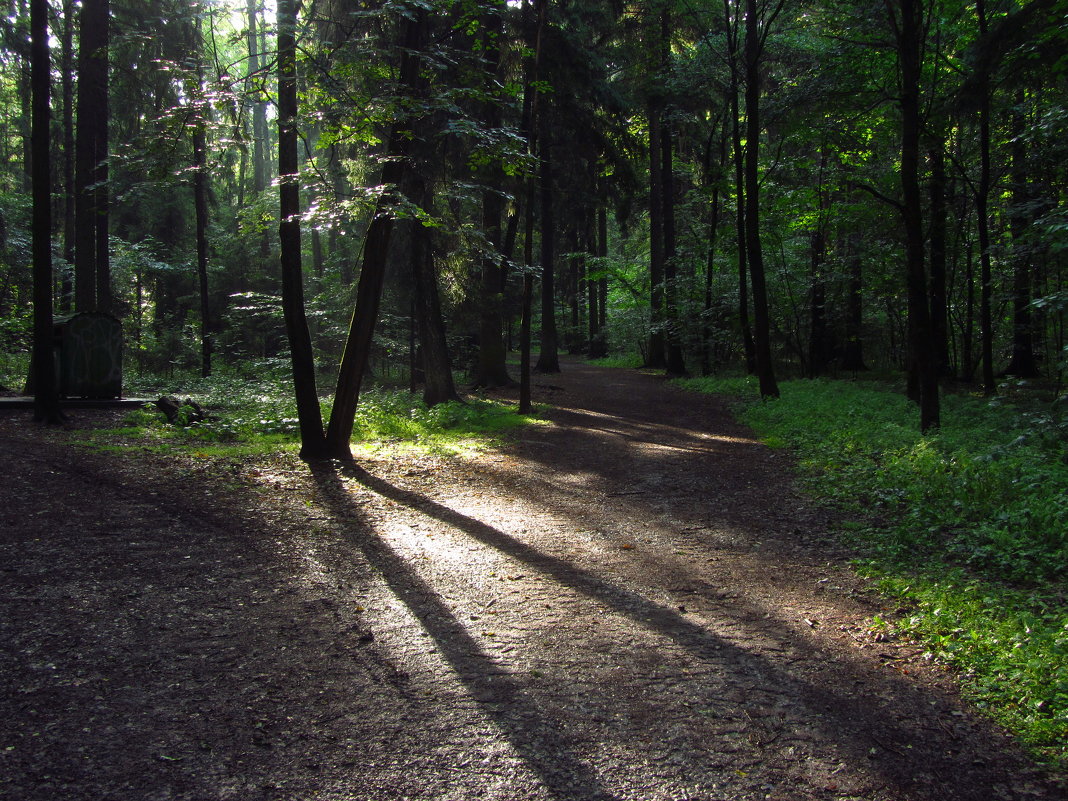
x=762, y=334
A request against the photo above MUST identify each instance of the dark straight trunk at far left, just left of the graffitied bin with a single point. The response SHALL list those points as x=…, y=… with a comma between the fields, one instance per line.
x=46, y=403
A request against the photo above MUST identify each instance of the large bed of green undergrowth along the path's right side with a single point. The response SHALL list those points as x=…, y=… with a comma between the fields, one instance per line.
x=968, y=529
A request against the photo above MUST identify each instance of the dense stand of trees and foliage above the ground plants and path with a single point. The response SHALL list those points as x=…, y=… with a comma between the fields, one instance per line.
x=790, y=190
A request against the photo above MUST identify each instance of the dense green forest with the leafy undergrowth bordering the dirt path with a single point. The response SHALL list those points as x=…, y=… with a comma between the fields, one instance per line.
x=863, y=201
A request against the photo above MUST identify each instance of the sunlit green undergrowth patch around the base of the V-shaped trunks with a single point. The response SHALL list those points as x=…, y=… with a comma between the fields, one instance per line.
x=259, y=417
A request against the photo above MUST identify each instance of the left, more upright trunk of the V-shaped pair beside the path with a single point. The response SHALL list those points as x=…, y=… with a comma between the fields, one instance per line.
x=309, y=414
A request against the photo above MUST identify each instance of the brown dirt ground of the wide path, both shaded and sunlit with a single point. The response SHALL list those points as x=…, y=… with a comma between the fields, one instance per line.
x=634, y=603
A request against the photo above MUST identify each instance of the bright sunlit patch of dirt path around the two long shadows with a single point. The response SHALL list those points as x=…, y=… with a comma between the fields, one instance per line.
x=609, y=649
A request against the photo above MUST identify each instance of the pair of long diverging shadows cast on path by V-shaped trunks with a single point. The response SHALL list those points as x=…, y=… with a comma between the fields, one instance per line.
x=875, y=740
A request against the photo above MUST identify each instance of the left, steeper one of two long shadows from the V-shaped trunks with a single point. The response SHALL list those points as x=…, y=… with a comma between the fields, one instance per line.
x=541, y=744
